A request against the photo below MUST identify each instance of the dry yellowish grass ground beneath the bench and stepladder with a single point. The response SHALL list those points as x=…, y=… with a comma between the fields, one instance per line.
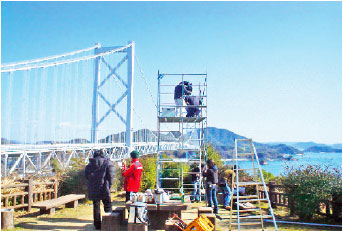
x=82, y=219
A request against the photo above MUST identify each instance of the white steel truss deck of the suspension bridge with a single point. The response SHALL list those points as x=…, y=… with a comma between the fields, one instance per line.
x=39, y=159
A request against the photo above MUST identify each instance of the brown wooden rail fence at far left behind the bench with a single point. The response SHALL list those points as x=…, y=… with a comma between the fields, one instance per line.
x=26, y=195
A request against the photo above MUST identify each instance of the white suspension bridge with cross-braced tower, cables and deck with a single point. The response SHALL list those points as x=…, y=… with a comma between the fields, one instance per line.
x=66, y=106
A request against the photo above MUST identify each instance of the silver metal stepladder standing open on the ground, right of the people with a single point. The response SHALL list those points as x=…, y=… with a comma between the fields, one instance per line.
x=251, y=214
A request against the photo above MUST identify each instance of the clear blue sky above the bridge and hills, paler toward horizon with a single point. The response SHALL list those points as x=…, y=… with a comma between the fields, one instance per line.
x=274, y=68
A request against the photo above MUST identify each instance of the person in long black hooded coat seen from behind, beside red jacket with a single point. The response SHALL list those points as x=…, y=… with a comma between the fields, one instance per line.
x=99, y=173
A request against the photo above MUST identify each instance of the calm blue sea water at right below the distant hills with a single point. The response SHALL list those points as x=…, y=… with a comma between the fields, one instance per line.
x=276, y=167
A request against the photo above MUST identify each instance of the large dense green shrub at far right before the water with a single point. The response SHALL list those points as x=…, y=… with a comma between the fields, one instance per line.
x=308, y=185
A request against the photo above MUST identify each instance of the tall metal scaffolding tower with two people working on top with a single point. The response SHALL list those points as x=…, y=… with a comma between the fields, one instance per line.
x=176, y=123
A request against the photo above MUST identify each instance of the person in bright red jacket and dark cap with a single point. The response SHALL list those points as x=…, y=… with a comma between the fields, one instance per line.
x=132, y=175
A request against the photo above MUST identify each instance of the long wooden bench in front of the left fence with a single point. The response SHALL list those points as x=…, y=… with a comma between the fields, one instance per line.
x=48, y=207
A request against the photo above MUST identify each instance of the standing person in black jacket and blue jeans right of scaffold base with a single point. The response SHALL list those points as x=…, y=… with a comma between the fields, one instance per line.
x=211, y=173
